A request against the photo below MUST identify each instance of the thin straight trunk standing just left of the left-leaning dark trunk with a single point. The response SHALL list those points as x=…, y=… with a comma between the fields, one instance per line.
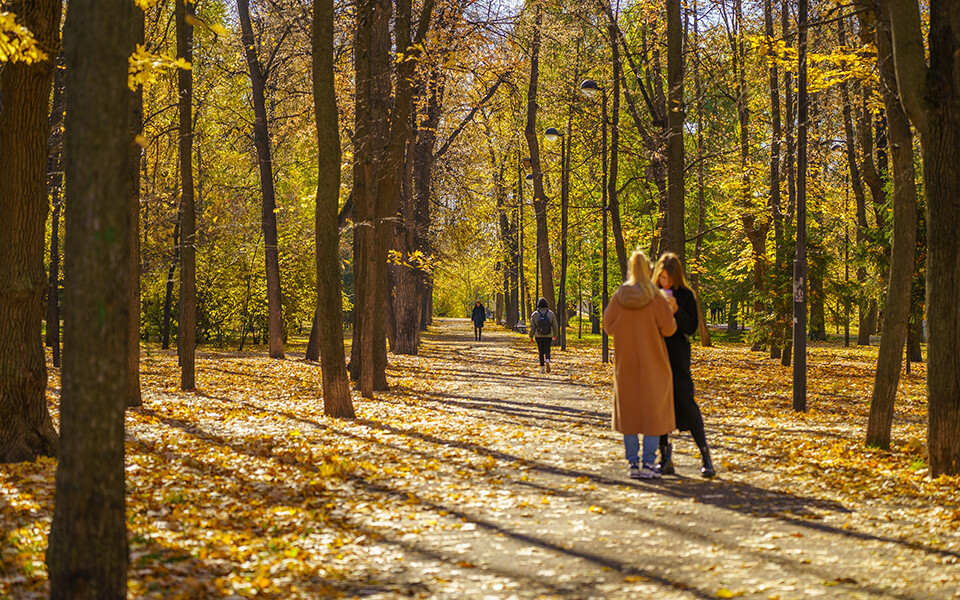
x=187, y=331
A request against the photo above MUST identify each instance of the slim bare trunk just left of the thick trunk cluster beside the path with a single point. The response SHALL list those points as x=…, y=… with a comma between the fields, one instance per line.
x=337, y=401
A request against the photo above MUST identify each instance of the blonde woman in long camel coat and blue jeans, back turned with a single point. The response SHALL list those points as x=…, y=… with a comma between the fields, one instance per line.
x=638, y=318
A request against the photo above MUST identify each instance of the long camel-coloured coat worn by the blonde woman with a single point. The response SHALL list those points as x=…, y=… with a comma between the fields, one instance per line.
x=642, y=380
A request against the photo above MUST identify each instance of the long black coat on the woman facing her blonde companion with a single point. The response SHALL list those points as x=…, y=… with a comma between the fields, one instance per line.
x=678, y=349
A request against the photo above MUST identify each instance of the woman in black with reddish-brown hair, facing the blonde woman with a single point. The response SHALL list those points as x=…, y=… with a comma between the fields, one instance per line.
x=668, y=276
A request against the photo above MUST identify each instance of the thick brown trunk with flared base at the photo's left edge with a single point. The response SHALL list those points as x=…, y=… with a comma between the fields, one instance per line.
x=26, y=429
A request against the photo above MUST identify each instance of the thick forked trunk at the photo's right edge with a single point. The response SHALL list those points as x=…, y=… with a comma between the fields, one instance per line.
x=930, y=98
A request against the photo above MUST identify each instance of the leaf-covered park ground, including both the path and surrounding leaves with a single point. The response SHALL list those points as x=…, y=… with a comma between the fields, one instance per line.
x=478, y=477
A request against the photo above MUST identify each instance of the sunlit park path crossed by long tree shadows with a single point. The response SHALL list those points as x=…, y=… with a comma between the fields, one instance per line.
x=555, y=516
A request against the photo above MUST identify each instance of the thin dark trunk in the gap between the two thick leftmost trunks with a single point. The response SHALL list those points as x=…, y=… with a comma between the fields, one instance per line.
x=55, y=187
